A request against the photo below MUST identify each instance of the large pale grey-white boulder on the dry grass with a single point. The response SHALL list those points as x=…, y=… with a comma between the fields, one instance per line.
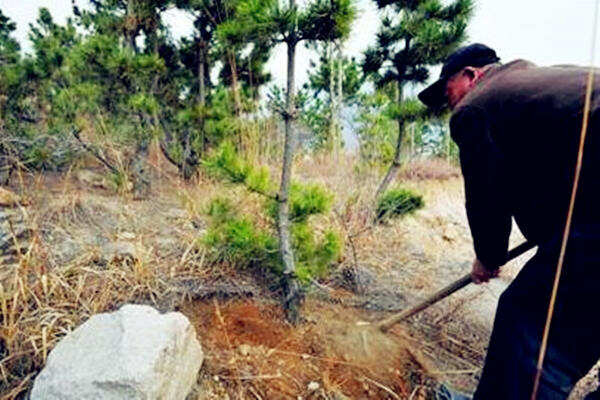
x=133, y=353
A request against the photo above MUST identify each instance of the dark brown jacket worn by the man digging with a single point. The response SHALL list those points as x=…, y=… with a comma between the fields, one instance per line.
x=518, y=133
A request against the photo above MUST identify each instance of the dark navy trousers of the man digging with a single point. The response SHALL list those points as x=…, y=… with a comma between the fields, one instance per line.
x=574, y=341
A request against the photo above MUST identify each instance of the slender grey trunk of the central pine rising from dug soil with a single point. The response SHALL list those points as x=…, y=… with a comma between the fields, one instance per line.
x=291, y=286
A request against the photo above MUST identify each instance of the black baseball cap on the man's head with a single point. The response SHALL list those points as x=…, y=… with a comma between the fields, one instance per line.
x=474, y=55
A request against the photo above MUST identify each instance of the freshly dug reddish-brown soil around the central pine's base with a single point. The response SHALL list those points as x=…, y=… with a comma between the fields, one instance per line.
x=252, y=352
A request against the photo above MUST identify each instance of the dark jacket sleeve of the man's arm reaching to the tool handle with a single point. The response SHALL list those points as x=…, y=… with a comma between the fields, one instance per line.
x=486, y=186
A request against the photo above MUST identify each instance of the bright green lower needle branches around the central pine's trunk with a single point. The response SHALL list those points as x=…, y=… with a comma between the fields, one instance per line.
x=238, y=240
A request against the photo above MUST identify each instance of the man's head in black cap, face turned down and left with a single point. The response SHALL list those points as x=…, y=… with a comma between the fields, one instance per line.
x=461, y=71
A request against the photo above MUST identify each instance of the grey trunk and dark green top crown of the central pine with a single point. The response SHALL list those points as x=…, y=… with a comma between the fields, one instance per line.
x=320, y=20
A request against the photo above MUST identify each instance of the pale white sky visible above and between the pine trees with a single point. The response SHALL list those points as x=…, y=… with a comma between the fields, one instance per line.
x=544, y=31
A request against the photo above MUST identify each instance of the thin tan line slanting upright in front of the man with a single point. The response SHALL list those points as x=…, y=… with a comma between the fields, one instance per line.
x=559, y=267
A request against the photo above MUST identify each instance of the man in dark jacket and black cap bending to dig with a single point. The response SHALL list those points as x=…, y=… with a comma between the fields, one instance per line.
x=518, y=128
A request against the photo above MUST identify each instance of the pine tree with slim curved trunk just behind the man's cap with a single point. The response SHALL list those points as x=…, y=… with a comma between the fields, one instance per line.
x=414, y=35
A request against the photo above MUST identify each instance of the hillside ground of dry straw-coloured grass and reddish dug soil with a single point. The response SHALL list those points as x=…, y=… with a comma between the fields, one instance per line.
x=87, y=249
